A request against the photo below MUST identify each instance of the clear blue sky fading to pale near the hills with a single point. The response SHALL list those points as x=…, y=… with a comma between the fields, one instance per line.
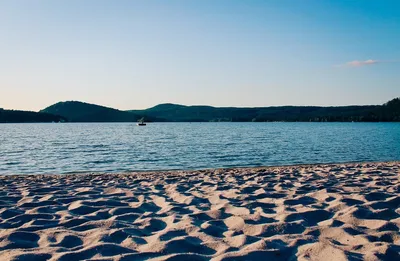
x=136, y=54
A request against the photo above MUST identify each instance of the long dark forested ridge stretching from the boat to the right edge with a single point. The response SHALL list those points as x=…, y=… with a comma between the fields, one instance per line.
x=389, y=111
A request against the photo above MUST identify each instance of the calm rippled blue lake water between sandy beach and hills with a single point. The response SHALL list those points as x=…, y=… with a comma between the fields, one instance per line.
x=119, y=147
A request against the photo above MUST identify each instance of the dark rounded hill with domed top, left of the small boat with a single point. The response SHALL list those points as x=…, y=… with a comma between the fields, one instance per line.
x=76, y=111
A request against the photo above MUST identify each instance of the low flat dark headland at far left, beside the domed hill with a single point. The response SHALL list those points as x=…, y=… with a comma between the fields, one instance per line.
x=13, y=116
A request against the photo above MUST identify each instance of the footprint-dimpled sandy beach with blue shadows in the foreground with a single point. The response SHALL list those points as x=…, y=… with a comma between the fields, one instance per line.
x=315, y=212
